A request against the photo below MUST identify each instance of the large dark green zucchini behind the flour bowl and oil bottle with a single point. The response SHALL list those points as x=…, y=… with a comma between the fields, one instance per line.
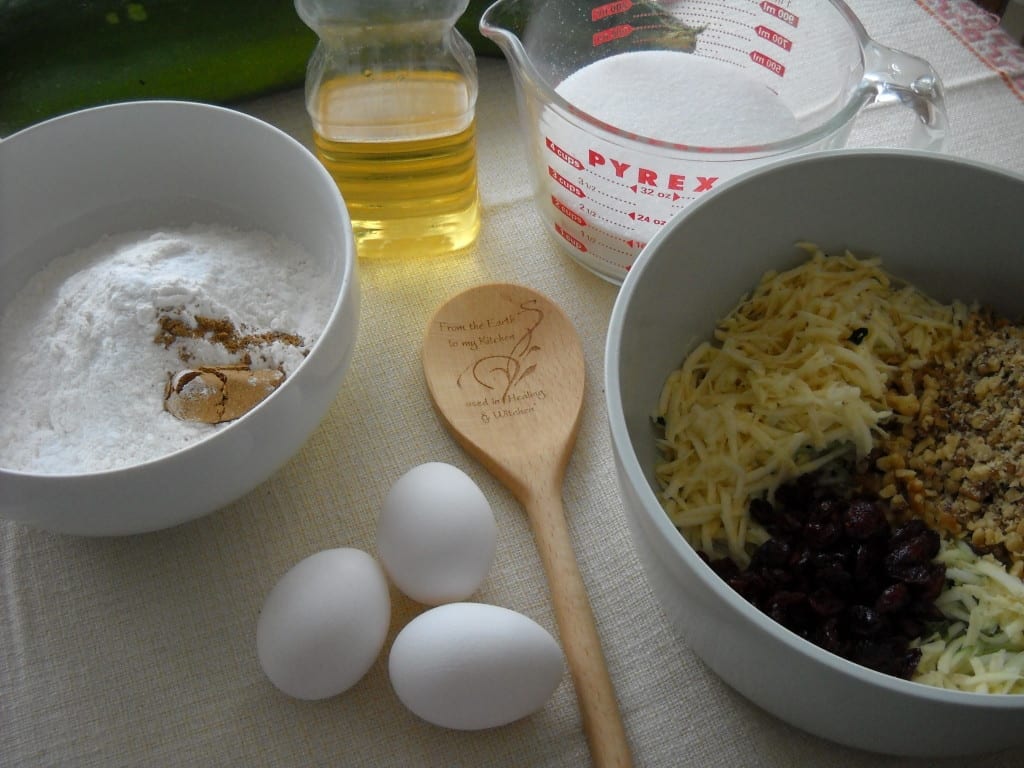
x=58, y=56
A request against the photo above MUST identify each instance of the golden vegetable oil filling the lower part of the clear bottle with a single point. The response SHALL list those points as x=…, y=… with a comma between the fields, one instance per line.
x=402, y=148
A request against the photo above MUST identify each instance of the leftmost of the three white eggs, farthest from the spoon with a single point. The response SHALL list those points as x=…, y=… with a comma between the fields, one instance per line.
x=324, y=624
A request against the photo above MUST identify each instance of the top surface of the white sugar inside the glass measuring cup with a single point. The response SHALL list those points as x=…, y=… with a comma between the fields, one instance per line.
x=679, y=98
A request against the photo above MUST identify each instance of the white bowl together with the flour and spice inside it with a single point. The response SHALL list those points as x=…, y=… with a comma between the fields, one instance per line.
x=143, y=239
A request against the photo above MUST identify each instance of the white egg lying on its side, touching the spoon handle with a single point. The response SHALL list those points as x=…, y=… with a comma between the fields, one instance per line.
x=472, y=666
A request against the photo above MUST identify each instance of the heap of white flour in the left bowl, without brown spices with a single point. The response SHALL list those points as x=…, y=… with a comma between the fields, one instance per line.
x=81, y=378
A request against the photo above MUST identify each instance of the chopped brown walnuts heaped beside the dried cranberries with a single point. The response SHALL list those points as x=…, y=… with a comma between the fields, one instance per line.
x=955, y=456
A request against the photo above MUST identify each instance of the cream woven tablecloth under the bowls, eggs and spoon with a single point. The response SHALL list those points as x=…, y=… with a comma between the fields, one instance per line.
x=142, y=651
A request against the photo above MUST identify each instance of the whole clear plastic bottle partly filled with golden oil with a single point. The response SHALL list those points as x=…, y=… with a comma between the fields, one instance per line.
x=392, y=94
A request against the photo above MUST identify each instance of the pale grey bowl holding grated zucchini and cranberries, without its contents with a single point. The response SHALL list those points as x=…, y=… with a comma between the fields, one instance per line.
x=953, y=228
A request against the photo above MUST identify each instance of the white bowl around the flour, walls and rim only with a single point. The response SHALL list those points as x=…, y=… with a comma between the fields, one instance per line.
x=134, y=166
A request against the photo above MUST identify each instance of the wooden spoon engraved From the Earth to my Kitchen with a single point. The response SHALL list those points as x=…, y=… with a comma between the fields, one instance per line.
x=505, y=369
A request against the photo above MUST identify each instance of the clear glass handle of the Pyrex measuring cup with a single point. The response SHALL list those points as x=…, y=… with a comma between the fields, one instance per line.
x=895, y=77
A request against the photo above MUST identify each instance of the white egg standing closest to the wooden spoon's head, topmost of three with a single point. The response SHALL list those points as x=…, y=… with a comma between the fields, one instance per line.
x=437, y=536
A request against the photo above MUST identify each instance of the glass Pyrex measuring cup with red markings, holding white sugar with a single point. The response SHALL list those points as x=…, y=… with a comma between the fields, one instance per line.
x=634, y=109
